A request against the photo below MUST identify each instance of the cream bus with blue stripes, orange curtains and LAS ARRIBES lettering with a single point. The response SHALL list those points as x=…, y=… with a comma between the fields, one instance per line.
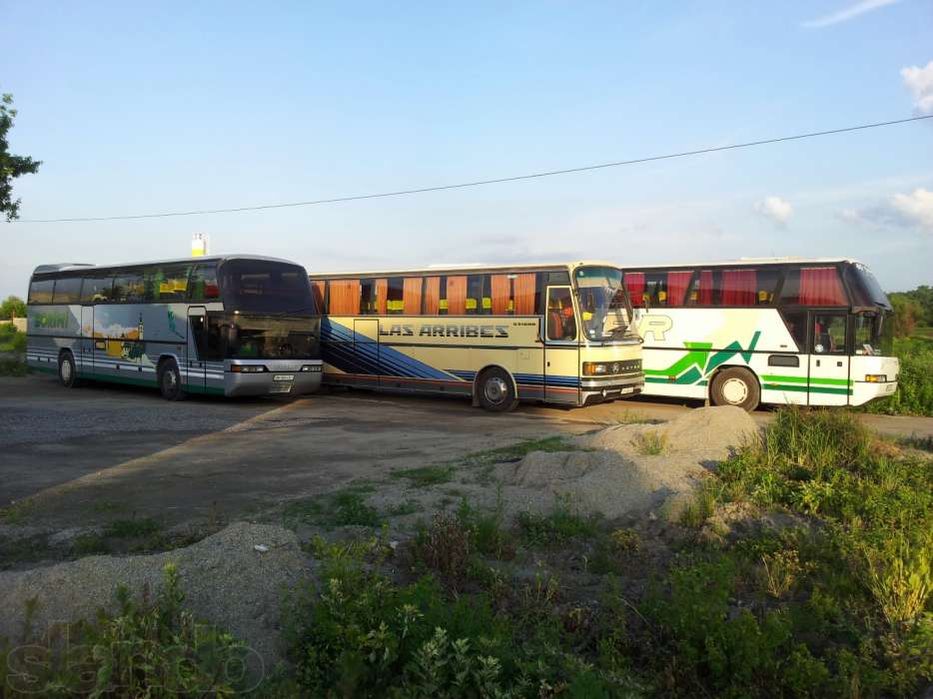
x=558, y=333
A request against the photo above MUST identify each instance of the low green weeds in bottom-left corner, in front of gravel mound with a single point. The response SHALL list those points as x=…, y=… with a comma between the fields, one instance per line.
x=148, y=649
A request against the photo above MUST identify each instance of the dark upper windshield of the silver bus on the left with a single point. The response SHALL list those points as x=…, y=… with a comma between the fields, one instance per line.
x=266, y=287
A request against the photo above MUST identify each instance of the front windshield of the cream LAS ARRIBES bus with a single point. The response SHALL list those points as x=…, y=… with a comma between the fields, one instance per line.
x=603, y=302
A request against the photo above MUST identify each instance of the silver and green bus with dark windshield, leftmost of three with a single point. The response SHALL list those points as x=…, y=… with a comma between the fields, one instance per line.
x=230, y=326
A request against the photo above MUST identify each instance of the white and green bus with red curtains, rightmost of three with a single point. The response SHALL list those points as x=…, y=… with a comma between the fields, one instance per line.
x=777, y=331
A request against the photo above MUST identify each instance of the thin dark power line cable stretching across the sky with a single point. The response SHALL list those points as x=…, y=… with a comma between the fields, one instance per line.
x=480, y=183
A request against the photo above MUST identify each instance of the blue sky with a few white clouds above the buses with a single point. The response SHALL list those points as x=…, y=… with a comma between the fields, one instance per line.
x=139, y=108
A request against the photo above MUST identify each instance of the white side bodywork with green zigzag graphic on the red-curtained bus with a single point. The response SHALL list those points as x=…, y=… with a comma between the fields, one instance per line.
x=684, y=347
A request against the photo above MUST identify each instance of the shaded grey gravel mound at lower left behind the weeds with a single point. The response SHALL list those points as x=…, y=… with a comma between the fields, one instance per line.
x=225, y=580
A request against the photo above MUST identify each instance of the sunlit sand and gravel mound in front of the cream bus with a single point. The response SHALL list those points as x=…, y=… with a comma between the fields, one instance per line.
x=613, y=476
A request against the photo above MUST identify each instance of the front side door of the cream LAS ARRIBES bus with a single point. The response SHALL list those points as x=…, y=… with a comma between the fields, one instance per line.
x=561, y=347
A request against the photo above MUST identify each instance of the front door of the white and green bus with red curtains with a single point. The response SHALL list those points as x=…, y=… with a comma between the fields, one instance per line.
x=829, y=359
